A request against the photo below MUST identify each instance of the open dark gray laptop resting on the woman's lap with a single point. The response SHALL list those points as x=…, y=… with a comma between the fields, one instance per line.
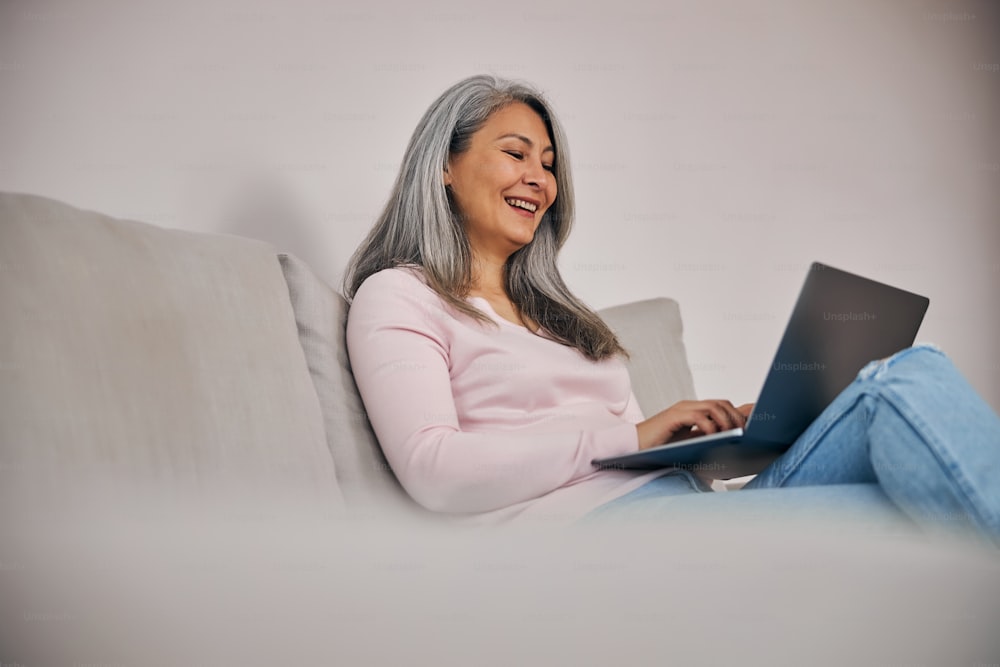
x=840, y=322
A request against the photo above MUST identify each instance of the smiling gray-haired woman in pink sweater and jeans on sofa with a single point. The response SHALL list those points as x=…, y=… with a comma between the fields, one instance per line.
x=491, y=387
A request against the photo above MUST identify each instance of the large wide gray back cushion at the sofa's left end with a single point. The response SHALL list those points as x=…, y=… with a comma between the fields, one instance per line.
x=132, y=355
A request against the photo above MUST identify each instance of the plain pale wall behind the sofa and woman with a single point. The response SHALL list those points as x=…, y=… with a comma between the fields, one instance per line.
x=718, y=148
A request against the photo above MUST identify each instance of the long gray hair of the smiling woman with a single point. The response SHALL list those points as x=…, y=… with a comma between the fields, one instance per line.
x=419, y=225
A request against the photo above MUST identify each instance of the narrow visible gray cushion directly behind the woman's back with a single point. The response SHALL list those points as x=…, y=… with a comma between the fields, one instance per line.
x=364, y=474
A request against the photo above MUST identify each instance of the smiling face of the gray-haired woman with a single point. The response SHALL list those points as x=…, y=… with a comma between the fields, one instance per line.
x=504, y=183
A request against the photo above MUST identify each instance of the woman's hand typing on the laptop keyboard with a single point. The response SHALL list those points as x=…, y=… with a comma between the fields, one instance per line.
x=691, y=418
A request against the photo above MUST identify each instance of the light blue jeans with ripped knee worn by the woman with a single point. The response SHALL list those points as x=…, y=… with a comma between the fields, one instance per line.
x=908, y=440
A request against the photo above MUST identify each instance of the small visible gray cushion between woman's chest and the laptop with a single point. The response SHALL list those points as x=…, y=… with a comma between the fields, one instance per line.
x=652, y=333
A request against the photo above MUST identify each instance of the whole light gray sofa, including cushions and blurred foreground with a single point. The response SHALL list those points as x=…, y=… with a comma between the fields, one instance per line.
x=187, y=477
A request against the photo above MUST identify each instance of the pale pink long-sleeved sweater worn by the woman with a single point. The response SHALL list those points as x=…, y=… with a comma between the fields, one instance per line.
x=487, y=423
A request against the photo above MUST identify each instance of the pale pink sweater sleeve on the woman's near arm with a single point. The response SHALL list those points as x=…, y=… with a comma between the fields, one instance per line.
x=399, y=353
